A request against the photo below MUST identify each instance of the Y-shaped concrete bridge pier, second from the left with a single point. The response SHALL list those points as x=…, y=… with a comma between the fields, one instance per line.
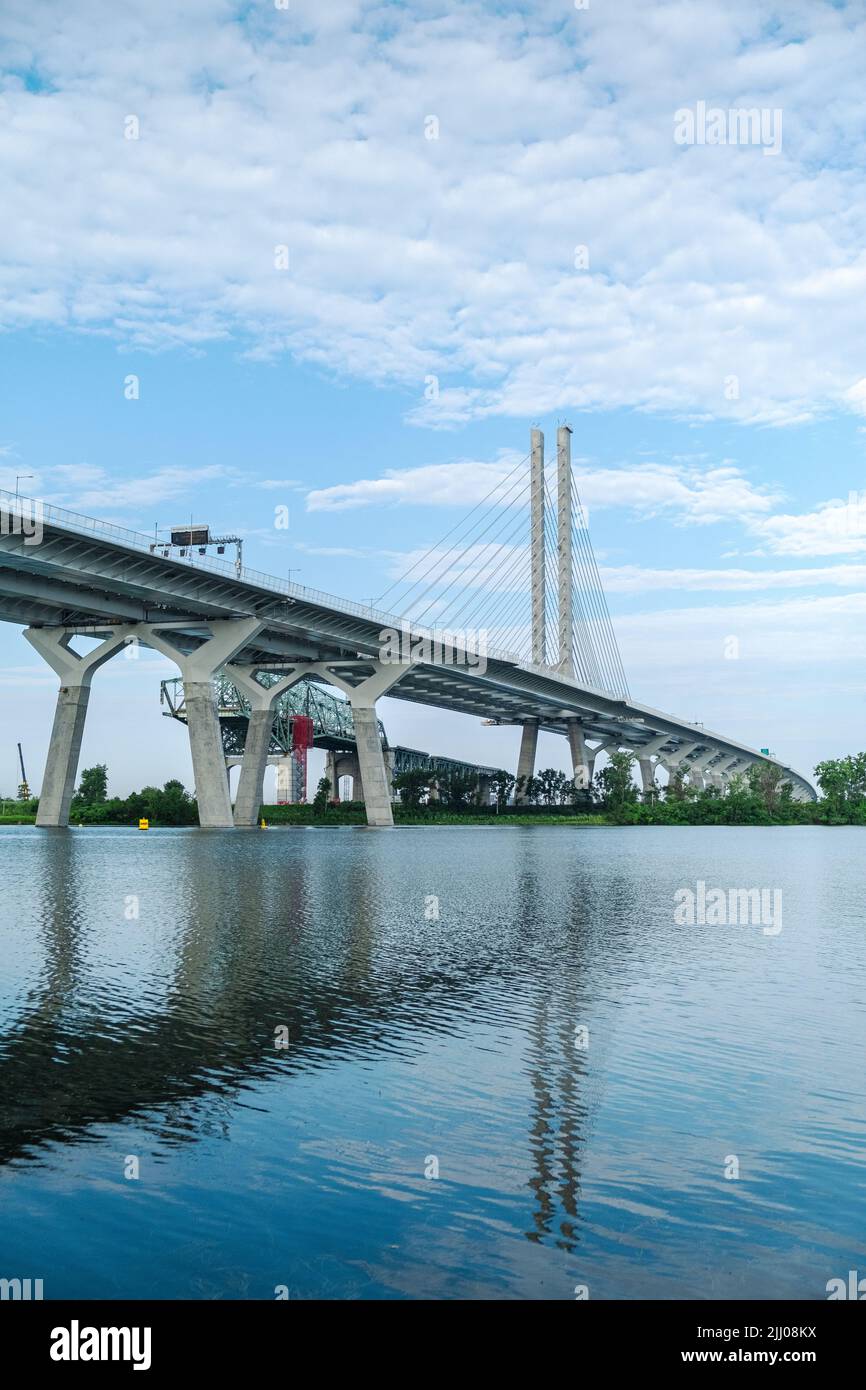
x=198, y=671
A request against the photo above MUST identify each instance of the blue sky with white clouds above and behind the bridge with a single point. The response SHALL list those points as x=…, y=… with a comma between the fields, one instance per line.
x=352, y=252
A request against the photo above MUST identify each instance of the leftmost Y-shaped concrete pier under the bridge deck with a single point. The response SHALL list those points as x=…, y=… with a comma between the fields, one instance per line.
x=65, y=750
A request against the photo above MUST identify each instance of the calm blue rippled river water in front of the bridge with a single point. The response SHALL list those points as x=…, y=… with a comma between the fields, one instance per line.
x=511, y=1070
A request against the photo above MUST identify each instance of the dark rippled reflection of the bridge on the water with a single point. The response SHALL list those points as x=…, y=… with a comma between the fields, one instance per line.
x=168, y=1021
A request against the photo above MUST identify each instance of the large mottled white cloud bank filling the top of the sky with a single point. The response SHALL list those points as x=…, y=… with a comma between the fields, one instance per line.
x=455, y=256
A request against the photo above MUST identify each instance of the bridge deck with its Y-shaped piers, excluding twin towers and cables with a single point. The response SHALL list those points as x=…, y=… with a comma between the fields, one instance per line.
x=76, y=578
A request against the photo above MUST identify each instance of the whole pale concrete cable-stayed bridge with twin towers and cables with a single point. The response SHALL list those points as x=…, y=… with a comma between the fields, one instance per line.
x=504, y=621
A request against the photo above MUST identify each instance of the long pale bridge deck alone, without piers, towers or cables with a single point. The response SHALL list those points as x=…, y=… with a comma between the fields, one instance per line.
x=87, y=575
